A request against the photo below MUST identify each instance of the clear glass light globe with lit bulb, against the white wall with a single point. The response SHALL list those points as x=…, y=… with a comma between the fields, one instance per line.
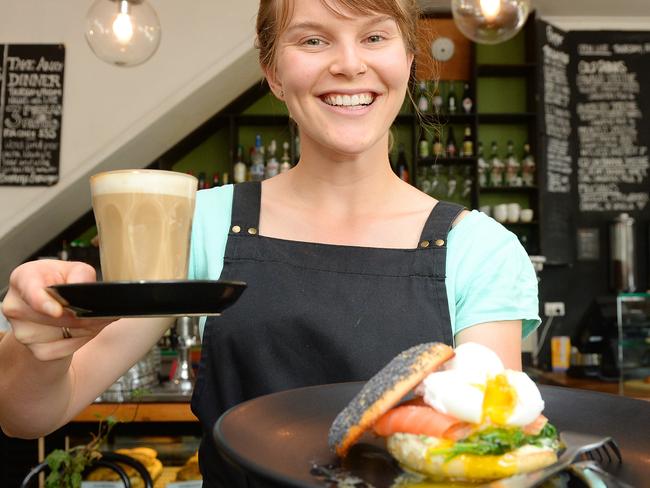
x=122, y=32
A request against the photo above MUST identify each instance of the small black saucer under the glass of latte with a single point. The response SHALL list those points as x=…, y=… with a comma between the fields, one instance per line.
x=148, y=298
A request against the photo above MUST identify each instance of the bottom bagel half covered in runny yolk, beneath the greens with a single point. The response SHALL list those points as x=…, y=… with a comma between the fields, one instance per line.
x=413, y=454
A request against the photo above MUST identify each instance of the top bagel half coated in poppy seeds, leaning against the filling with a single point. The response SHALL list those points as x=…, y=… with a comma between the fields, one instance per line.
x=383, y=391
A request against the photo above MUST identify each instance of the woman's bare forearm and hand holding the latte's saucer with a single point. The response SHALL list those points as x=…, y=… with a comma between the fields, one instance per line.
x=46, y=379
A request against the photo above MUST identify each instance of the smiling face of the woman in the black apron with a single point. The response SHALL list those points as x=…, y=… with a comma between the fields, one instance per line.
x=343, y=79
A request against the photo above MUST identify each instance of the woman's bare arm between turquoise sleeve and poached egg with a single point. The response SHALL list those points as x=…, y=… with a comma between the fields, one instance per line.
x=503, y=337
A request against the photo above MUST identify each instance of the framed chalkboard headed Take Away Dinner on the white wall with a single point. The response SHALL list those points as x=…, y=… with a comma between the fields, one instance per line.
x=31, y=101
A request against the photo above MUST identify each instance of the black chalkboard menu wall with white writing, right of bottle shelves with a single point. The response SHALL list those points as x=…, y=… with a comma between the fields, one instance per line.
x=595, y=138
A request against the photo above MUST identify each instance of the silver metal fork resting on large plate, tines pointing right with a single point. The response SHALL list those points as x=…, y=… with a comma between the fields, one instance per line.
x=576, y=445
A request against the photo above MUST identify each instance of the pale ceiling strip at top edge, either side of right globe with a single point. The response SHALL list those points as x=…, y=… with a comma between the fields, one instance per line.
x=573, y=8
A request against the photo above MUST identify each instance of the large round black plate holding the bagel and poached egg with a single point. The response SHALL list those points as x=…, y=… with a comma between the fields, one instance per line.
x=280, y=437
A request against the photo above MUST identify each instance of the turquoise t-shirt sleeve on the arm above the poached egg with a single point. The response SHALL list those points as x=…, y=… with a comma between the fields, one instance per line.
x=490, y=276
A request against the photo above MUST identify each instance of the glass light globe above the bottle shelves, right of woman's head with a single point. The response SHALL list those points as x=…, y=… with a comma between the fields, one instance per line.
x=490, y=21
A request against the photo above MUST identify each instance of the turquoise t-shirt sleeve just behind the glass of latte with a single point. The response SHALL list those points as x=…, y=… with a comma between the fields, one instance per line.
x=210, y=225
